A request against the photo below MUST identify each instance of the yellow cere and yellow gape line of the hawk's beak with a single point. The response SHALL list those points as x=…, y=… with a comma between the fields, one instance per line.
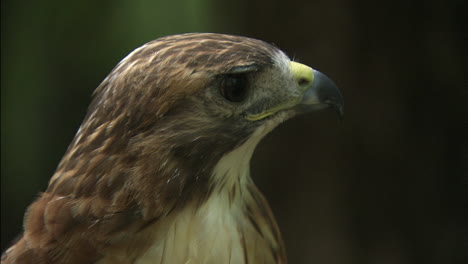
x=299, y=72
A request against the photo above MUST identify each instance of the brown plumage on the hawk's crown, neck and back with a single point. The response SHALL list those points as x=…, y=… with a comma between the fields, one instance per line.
x=141, y=155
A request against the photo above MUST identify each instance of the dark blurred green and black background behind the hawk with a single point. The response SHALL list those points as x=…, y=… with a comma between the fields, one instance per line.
x=387, y=185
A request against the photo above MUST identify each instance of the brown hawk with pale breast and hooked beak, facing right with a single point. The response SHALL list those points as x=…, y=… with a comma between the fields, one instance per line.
x=158, y=172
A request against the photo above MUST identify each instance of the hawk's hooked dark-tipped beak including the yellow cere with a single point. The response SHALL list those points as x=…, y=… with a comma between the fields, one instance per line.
x=319, y=91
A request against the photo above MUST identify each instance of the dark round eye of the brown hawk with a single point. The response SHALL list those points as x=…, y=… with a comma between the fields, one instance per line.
x=234, y=87
